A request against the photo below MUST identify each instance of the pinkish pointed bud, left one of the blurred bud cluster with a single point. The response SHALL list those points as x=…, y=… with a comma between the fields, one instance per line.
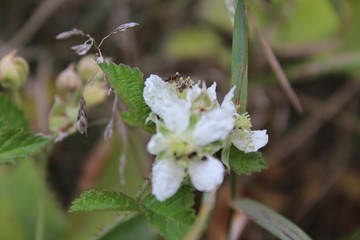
x=68, y=79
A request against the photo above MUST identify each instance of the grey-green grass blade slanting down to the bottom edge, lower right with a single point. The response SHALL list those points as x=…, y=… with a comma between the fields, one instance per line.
x=270, y=220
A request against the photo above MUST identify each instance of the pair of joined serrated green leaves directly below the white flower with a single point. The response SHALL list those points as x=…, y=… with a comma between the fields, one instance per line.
x=172, y=218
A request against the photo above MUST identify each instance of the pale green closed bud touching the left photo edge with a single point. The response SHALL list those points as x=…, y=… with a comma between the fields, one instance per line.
x=13, y=71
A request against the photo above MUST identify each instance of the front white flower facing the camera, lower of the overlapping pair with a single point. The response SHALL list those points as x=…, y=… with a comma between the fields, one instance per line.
x=180, y=149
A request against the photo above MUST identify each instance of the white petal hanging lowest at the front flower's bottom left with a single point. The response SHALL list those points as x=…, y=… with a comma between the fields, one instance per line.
x=166, y=178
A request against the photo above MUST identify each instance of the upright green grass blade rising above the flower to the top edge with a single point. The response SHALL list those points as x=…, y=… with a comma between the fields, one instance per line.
x=239, y=58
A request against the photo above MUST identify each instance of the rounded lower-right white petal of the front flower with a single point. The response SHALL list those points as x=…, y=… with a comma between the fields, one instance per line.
x=207, y=174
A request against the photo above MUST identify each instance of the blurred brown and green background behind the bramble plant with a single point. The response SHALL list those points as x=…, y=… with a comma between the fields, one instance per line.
x=313, y=176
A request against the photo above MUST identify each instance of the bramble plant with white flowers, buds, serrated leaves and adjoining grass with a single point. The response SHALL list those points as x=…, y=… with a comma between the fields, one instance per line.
x=196, y=139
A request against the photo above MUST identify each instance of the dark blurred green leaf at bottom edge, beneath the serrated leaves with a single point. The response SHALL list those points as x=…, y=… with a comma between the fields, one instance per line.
x=129, y=227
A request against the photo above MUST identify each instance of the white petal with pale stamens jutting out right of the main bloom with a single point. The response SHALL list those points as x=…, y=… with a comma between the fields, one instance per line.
x=249, y=141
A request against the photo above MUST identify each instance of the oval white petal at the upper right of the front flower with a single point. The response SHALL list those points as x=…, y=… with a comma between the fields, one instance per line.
x=213, y=126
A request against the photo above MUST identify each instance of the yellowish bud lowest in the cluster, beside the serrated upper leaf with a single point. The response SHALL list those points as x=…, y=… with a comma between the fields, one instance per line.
x=96, y=93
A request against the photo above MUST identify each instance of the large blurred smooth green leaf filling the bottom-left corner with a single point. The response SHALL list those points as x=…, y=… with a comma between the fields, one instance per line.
x=21, y=188
